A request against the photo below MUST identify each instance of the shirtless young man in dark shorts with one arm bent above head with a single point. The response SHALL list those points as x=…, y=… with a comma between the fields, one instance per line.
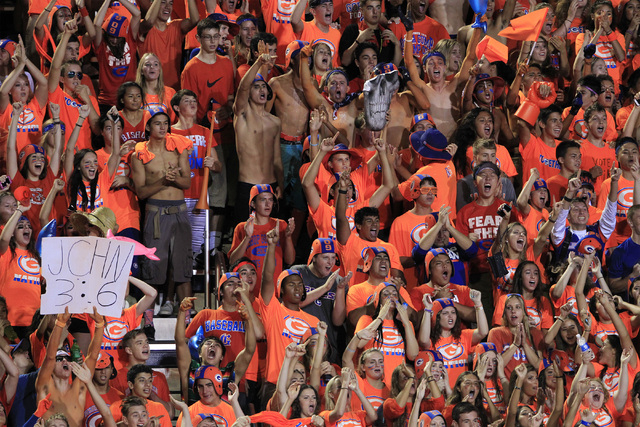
x=257, y=137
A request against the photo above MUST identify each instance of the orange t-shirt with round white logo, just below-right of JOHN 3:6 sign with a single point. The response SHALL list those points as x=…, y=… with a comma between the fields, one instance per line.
x=114, y=330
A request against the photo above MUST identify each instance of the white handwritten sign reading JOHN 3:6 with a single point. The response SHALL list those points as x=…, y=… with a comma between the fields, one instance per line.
x=83, y=272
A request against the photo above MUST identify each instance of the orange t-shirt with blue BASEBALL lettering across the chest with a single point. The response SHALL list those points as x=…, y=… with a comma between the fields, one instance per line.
x=226, y=325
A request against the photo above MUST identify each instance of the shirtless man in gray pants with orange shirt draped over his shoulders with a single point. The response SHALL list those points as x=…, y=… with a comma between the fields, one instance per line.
x=161, y=173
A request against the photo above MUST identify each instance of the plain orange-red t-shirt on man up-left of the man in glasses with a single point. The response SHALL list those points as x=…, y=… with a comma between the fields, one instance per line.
x=167, y=45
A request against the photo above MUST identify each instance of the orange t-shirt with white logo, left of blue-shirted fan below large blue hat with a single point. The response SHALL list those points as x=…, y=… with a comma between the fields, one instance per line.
x=406, y=232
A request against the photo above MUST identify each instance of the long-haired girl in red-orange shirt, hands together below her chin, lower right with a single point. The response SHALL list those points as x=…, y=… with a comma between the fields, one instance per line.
x=516, y=340
